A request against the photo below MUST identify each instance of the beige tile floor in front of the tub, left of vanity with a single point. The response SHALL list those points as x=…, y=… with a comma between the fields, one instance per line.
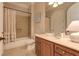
x=20, y=51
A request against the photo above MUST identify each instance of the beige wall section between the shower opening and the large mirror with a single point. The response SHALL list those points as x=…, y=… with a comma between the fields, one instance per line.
x=37, y=27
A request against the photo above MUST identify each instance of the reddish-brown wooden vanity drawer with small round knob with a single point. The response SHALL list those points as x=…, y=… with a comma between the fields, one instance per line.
x=65, y=51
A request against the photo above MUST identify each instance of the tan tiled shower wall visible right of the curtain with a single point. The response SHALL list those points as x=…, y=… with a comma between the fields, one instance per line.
x=21, y=26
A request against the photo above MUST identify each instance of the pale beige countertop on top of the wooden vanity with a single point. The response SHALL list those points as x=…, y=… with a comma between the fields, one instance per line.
x=62, y=41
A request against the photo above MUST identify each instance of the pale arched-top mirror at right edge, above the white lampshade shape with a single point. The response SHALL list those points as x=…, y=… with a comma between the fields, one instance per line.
x=73, y=13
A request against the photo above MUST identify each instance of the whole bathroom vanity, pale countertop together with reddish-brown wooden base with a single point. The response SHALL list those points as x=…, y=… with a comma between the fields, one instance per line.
x=47, y=45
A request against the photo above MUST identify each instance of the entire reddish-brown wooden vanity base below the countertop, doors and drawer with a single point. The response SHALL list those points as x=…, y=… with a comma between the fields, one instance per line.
x=47, y=48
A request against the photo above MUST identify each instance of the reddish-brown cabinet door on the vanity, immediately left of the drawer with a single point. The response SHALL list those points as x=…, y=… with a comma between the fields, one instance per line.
x=46, y=48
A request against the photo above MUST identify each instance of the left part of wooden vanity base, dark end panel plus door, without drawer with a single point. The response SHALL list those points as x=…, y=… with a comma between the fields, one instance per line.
x=45, y=48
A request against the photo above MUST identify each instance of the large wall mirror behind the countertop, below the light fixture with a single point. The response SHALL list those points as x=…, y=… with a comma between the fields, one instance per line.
x=58, y=17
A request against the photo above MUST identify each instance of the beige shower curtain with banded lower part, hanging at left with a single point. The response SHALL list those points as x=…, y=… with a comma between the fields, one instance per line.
x=9, y=25
